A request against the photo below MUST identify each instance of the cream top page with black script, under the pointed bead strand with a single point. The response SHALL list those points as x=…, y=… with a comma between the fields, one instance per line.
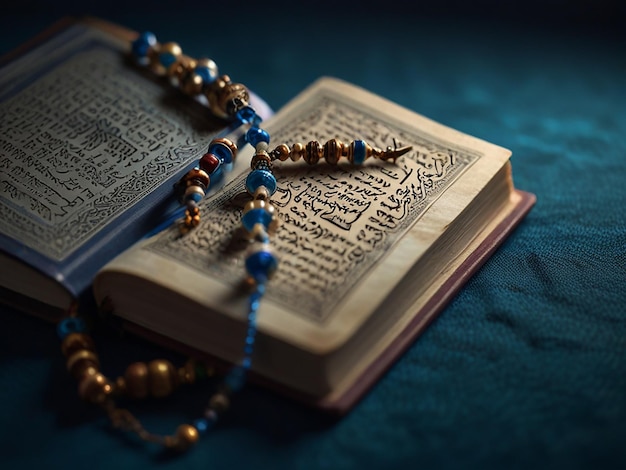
x=348, y=233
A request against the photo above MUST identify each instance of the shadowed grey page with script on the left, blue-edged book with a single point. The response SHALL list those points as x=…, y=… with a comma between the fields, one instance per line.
x=86, y=135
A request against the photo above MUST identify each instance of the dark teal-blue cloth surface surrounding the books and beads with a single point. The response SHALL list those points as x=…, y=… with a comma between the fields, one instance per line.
x=526, y=368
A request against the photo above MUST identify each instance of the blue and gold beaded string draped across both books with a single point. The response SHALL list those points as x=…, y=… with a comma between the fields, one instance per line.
x=160, y=378
